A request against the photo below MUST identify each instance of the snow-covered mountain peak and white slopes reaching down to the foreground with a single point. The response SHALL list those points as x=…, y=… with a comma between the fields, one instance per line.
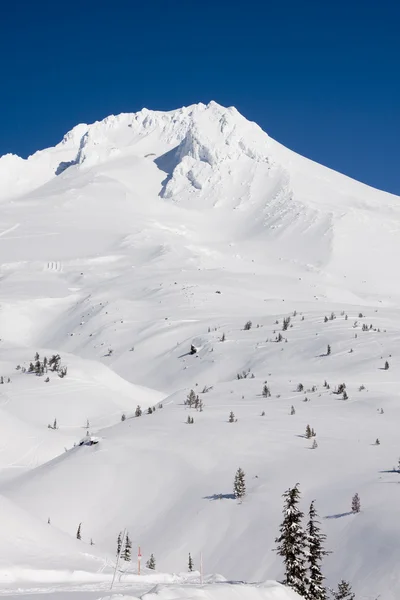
x=121, y=247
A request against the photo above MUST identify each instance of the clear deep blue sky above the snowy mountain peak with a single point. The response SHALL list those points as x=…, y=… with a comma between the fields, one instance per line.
x=321, y=77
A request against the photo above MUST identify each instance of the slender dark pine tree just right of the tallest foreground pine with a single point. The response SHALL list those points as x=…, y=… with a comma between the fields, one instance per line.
x=316, y=552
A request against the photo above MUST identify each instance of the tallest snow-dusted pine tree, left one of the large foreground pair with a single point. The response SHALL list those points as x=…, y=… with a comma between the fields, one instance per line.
x=291, y=544
